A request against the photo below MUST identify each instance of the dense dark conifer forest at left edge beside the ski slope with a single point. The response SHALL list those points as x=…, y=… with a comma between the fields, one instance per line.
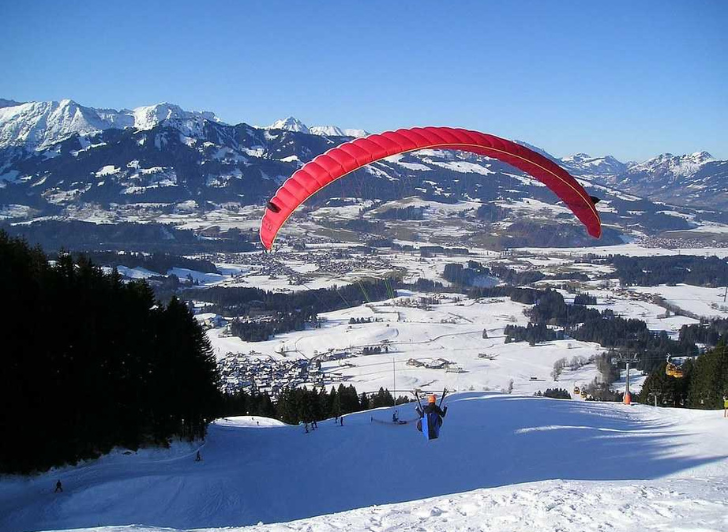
x=90, y=363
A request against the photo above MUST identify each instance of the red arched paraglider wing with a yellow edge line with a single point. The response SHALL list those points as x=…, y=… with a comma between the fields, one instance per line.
x=350, y=156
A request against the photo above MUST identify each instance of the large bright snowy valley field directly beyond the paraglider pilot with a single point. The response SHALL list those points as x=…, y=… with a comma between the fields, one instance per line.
x=451, y=330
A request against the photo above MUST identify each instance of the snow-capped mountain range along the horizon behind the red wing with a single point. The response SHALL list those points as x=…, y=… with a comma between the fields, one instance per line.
x=56, y=156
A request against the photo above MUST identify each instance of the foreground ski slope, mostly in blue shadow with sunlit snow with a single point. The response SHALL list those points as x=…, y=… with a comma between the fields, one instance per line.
x=503, y=462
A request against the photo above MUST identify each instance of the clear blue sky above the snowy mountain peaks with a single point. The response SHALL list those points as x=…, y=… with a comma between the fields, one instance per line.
x=627, y=78
